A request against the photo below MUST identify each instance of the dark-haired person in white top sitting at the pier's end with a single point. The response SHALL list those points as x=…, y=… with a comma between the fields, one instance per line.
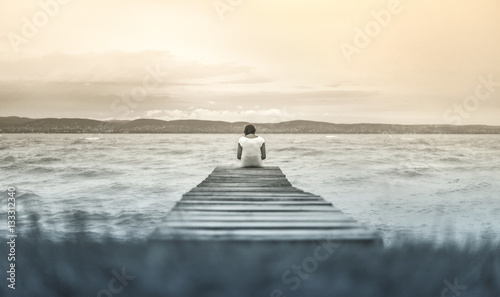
x=251, y=148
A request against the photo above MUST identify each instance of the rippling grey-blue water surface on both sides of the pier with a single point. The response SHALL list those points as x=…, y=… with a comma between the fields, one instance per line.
x=410, y=187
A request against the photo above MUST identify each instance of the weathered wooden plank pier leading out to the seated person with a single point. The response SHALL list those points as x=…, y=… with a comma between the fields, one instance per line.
x=257, y=204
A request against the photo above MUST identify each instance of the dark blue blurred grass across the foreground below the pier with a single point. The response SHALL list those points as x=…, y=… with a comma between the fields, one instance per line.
x=82, y=266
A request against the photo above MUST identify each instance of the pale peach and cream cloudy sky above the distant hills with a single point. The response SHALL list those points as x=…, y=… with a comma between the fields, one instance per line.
x=370, y=61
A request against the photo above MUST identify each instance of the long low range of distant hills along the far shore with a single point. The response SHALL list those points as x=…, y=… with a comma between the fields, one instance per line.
x=76, y=125
